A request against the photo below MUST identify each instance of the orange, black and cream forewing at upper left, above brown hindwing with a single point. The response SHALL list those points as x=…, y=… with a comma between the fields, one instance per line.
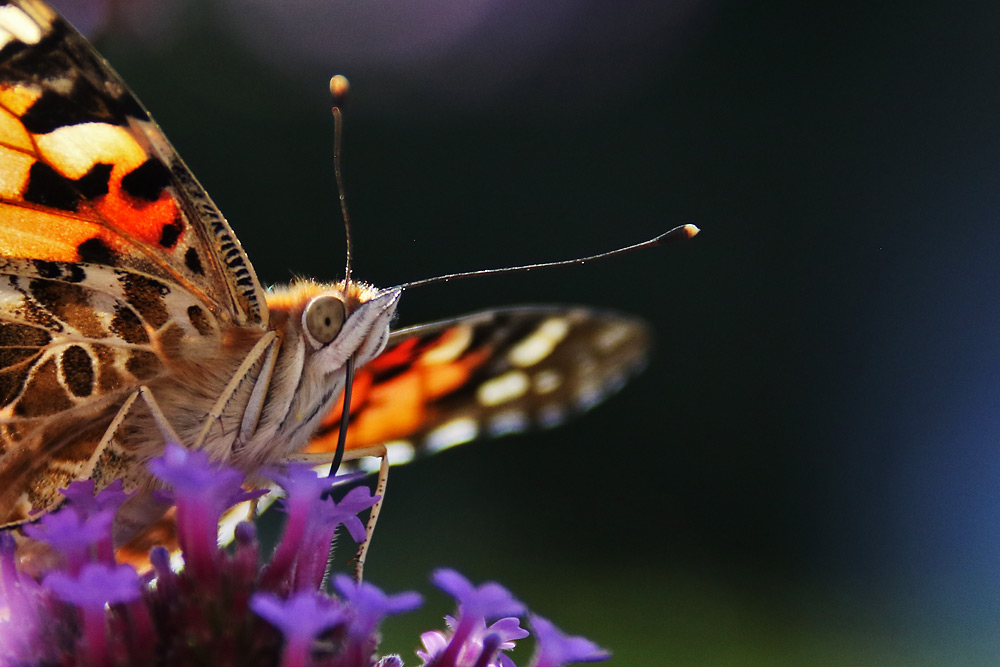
x=87, y=176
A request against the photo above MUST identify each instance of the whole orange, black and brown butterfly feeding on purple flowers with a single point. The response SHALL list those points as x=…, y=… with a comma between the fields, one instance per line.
x=131, y=315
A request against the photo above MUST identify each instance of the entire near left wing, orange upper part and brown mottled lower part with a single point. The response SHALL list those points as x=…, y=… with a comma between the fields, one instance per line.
x=111, y=254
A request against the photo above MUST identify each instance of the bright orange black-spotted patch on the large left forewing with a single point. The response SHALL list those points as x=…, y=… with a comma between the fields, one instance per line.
x=91, y=193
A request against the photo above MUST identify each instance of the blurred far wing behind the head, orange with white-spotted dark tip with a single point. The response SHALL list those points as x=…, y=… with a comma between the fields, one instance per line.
x=486, y=375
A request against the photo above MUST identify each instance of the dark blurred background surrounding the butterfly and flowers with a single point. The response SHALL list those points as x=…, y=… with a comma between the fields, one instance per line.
x=807, y=473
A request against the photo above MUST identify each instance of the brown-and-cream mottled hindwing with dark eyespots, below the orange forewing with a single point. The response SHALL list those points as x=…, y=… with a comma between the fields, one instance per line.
x=70, y=352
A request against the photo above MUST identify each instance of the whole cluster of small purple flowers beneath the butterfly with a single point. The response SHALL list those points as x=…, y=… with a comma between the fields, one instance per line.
x=223, y=607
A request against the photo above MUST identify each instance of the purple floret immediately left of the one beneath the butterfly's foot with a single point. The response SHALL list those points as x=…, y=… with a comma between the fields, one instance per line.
x=301, y=618
